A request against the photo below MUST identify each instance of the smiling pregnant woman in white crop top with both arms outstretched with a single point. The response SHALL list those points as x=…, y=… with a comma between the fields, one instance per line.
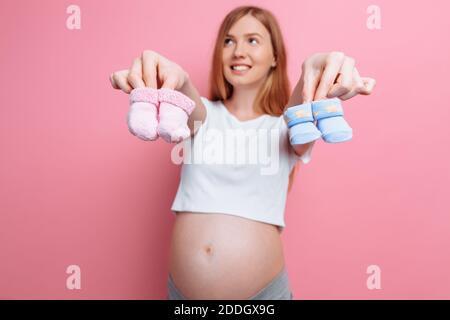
x=226, y=240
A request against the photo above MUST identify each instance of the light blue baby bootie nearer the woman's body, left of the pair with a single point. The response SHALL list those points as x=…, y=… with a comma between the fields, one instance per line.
x=300, y=122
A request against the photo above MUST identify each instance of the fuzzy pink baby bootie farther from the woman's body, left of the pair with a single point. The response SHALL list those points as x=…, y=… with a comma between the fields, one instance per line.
x=143, y=115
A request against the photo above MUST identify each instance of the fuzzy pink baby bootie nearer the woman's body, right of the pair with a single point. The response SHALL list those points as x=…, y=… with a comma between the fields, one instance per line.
x=174, y=111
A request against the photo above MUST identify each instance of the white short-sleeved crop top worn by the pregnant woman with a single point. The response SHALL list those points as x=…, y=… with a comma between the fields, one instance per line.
x=237, y=167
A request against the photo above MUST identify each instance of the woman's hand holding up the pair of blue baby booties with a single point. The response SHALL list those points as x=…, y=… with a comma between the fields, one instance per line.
x=333, y=74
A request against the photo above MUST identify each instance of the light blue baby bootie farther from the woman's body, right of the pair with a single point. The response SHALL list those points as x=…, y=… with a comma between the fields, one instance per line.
x=329, y=115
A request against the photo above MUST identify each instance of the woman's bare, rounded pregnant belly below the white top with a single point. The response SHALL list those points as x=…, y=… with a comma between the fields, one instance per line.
x=221, y=256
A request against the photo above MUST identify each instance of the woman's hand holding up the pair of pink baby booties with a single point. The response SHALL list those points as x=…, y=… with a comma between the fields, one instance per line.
x=150, y=70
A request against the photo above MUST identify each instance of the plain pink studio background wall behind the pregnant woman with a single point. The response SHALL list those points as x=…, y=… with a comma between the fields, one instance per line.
x=77, y=188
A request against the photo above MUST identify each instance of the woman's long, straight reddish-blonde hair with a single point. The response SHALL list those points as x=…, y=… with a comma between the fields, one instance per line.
x=275, y=92
